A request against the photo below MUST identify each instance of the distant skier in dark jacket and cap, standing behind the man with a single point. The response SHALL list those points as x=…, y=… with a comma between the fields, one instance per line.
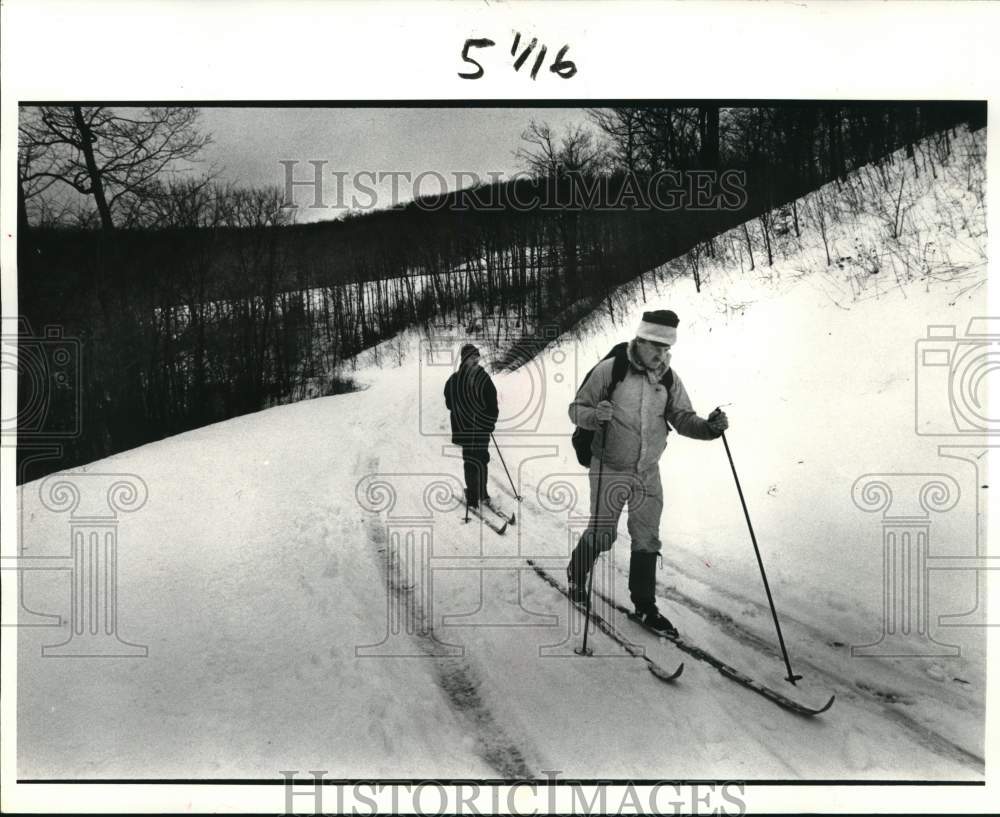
x=471, y=398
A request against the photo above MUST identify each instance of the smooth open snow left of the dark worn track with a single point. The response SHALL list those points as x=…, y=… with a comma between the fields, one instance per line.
x=252, y=609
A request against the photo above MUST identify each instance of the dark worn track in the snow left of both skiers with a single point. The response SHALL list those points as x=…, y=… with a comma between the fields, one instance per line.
x=455, y=676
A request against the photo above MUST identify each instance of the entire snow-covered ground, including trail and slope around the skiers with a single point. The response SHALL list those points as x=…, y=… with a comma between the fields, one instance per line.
x=267, y=570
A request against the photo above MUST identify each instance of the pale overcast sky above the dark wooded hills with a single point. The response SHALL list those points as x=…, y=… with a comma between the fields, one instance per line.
x=250, y=143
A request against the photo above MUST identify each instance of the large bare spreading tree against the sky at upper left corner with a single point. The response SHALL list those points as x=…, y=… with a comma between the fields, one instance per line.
x=114, y=156
